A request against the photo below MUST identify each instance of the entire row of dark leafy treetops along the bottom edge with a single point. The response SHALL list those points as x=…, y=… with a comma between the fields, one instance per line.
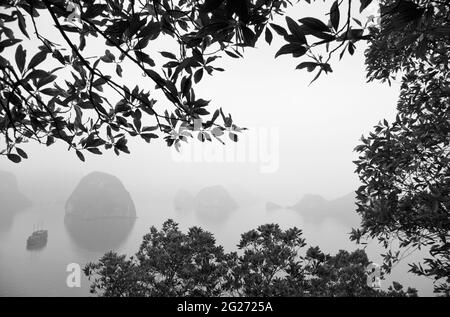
x=172, y=263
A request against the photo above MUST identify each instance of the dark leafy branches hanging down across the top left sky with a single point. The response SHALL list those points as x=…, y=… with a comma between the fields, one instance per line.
x=92, y=108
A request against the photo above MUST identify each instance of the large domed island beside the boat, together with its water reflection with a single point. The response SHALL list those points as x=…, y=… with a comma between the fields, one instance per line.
x=100, y=213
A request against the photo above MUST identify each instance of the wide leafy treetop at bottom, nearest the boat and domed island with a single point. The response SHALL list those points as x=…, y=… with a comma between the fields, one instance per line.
x=168, y=263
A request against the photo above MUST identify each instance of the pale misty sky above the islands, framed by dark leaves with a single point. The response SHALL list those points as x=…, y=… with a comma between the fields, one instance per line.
x=304, y=142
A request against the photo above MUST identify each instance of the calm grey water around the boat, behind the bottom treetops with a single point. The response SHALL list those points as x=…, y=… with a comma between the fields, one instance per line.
x=43, y=272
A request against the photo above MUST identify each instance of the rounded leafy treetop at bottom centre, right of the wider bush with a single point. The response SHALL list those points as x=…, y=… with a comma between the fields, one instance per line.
x=271, y=264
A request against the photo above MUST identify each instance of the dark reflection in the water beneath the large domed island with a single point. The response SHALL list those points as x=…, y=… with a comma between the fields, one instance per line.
x=99, y=235
